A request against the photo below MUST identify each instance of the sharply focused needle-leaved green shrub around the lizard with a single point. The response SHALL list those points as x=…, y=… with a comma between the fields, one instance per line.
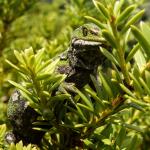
x=111, y=112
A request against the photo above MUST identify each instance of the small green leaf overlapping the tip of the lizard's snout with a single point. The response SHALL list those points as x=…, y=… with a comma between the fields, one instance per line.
x=109, y=37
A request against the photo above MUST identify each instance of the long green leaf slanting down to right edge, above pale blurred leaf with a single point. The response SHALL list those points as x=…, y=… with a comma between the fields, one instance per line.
x=141, y=39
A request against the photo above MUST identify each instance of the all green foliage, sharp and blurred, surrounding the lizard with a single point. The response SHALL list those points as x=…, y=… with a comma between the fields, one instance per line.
x=111, y=112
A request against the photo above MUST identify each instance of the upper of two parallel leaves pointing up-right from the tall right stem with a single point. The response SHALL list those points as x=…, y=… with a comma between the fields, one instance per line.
x=125, y=14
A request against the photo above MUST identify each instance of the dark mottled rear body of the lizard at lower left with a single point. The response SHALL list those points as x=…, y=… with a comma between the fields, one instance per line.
x=21, y=117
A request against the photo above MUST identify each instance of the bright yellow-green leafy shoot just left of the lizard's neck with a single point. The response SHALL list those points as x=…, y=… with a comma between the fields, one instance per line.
x=39, y=76
